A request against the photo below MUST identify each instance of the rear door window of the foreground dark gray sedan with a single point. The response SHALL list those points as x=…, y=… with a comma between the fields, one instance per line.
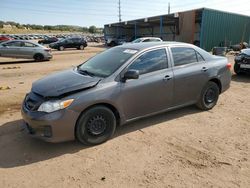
x=183, y=56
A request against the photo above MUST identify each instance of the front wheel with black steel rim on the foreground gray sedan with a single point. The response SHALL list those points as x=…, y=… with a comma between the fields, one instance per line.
x=95, y=126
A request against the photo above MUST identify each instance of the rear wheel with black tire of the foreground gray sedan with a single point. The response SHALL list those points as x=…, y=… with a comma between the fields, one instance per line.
x=209, y=96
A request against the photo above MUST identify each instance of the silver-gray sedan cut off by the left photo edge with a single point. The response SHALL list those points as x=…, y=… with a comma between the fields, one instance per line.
x=25, y=49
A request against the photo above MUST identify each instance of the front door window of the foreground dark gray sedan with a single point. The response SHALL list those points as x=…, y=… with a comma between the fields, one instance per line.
x=151, y=61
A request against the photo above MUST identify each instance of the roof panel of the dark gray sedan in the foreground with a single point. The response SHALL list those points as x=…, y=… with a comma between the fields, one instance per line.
x=145, y=45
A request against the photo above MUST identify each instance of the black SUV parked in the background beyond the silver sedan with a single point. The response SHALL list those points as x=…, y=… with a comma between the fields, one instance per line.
x=79, y=43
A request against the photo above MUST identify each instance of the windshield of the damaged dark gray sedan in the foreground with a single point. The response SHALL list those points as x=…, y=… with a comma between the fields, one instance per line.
x=107, y=62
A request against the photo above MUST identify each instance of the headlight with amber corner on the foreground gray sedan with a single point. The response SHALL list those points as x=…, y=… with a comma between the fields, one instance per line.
x=51, y=106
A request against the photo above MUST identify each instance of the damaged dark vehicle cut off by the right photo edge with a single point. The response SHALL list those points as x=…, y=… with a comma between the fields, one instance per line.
x=242, y=61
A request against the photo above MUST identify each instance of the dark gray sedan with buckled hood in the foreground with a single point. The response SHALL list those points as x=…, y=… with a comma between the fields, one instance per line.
x=120, y=85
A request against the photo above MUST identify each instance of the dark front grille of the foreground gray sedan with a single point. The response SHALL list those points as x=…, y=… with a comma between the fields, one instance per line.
x=33, y=101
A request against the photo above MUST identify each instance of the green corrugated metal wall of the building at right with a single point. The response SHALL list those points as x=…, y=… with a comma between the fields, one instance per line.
x=222, y=27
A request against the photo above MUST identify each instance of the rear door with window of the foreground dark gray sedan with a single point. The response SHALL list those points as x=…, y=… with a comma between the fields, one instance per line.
x=190, y=74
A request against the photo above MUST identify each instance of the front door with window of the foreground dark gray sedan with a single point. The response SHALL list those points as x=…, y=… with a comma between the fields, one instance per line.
x=153, y=91
